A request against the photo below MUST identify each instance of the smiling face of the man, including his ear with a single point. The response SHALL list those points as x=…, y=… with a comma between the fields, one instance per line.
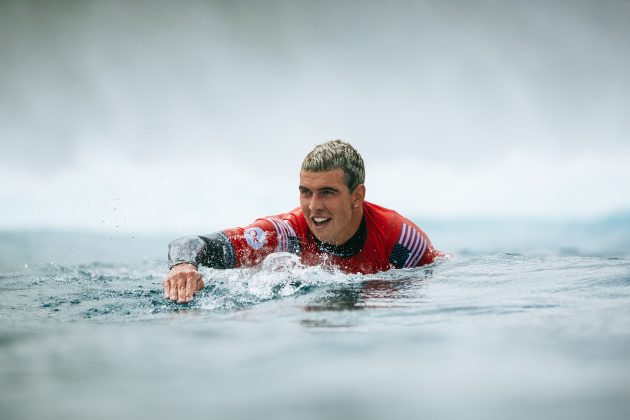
x=332, y=211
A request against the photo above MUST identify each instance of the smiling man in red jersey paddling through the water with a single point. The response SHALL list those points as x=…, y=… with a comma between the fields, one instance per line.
x=333, y=226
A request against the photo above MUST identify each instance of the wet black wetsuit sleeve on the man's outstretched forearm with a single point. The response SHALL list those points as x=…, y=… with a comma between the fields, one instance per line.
x=214, y=250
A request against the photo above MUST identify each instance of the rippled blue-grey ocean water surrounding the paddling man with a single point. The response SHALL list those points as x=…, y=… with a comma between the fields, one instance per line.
x=523, y=321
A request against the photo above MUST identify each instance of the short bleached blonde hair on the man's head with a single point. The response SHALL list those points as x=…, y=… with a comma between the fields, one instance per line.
x=337, y=154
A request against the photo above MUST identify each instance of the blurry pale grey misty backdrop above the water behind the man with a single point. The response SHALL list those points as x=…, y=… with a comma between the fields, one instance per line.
x=188, y=117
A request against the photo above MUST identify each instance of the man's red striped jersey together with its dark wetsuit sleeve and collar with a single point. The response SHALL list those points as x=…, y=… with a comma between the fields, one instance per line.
x=384, y=240
